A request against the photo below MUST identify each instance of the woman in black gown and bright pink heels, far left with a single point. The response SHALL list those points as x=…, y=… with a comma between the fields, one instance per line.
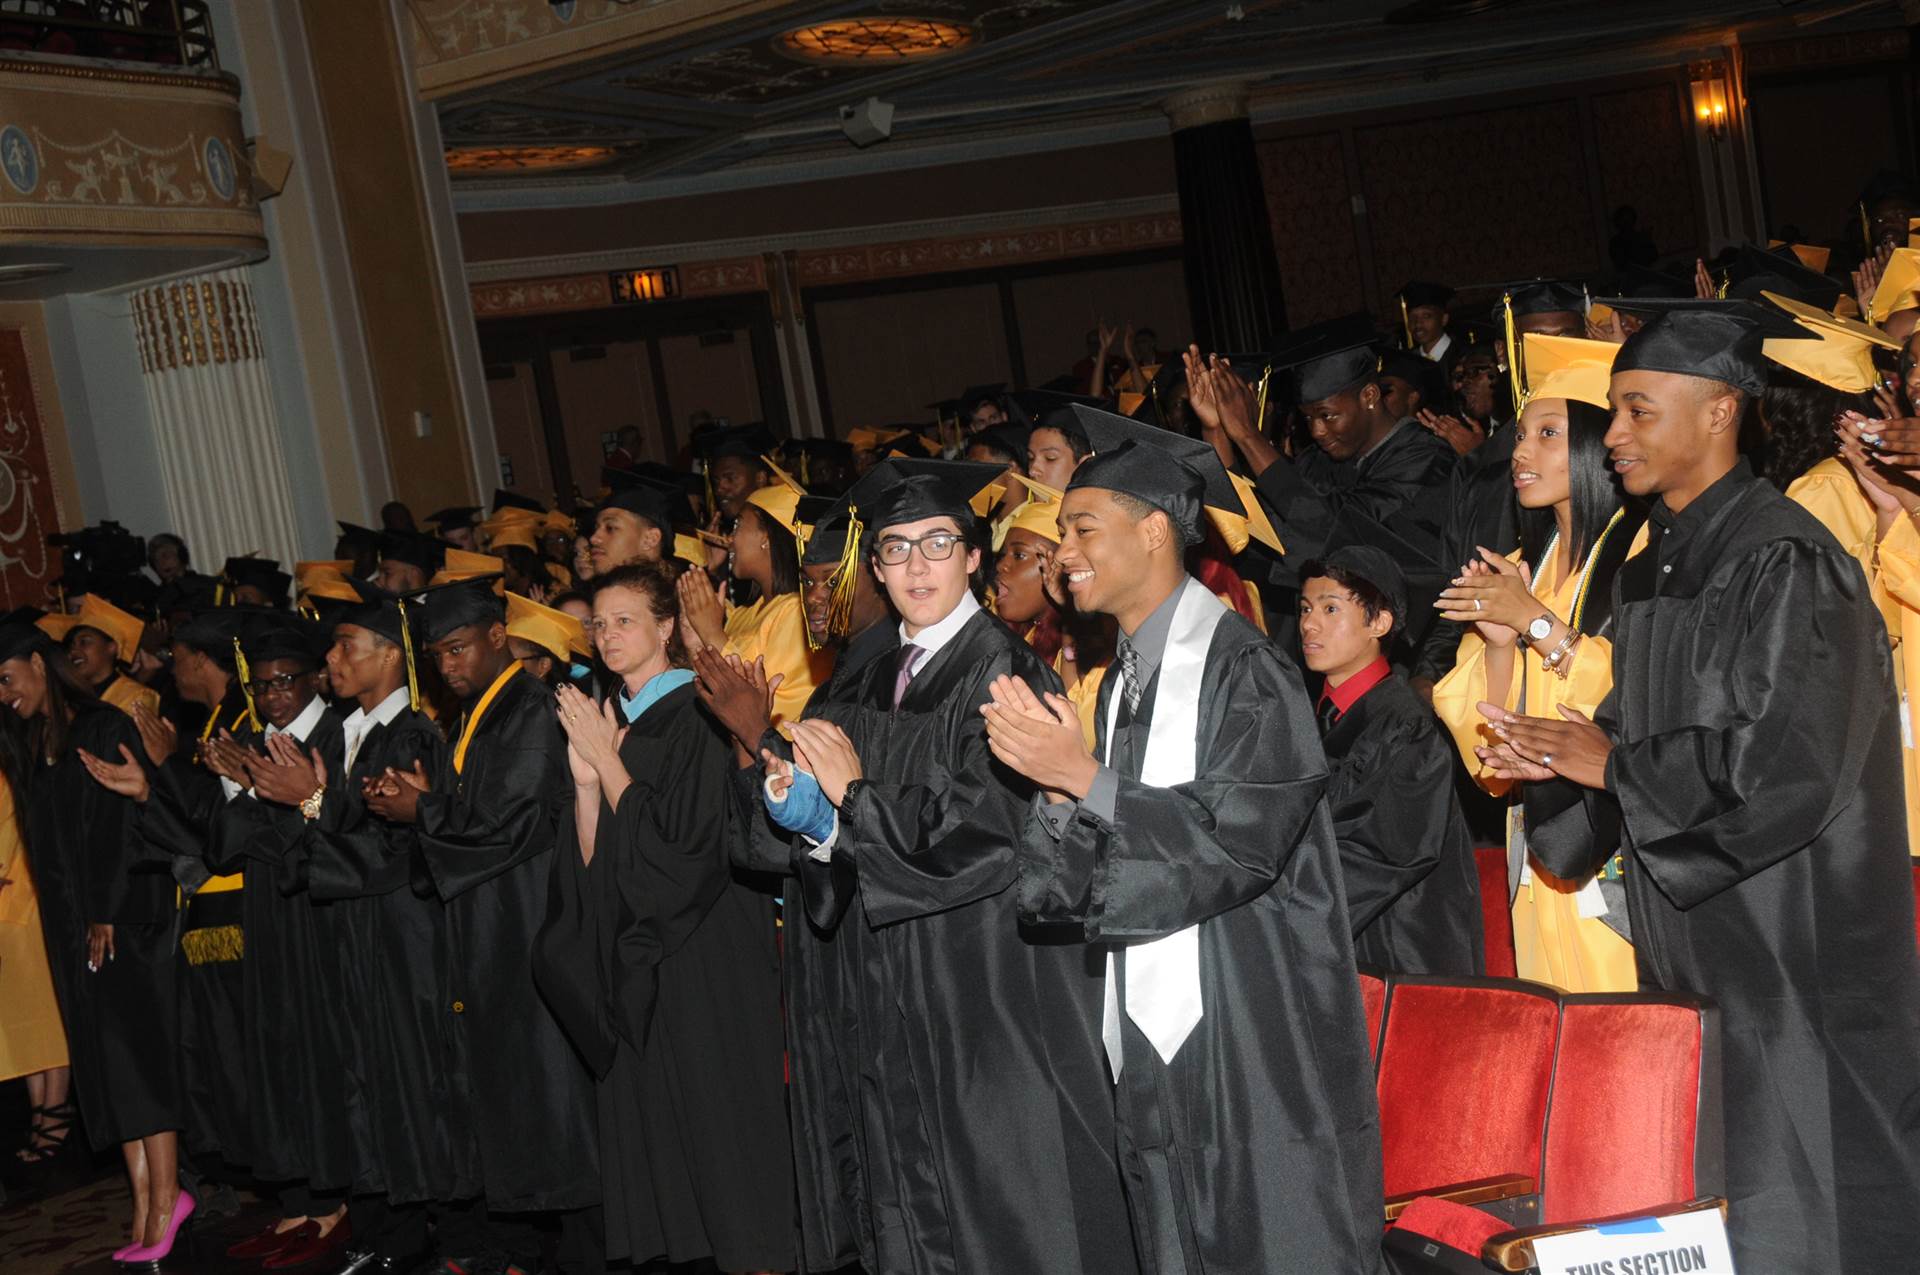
x=108, y=925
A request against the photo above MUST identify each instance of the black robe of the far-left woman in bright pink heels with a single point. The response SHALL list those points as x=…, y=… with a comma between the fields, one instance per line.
x=124, y=1021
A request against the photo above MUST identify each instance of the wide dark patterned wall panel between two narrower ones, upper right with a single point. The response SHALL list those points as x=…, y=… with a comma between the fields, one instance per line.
x=1479, y=197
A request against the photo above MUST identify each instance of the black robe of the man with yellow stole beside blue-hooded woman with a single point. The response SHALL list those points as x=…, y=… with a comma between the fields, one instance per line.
x=523, y=1101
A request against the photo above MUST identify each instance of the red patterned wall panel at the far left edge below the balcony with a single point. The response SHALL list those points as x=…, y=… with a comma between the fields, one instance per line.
x=28, y=506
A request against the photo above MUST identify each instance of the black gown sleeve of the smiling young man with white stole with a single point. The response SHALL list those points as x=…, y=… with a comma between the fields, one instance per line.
x=1178, y=855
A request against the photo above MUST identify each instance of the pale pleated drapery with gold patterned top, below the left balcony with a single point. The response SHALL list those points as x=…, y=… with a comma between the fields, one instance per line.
x=214, y=420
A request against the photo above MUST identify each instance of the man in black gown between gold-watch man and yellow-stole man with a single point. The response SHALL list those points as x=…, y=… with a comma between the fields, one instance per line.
x=387, y=942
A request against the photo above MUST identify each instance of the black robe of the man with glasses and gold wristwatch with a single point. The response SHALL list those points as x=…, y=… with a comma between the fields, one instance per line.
x=291, y=1022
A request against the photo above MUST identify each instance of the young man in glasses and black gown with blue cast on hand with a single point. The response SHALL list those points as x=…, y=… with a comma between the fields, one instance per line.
x=971, y=1053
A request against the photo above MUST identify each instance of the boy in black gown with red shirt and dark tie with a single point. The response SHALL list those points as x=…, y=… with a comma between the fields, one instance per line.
x=1412, y=890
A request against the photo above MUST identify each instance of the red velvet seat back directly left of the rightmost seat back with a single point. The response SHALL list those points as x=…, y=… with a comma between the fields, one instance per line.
x=1464, y=1080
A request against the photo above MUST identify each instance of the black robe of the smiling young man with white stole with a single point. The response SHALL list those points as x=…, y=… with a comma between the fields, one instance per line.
x=1259, y=1147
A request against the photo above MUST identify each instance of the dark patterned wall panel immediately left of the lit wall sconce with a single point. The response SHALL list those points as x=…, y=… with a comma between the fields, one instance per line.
x=1646, y=160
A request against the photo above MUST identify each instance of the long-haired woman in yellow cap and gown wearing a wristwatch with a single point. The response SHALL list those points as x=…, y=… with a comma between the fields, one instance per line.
x=1537, y=640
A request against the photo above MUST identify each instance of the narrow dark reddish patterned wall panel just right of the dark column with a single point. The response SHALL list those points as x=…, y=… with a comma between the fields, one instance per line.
x=1312, y=214
